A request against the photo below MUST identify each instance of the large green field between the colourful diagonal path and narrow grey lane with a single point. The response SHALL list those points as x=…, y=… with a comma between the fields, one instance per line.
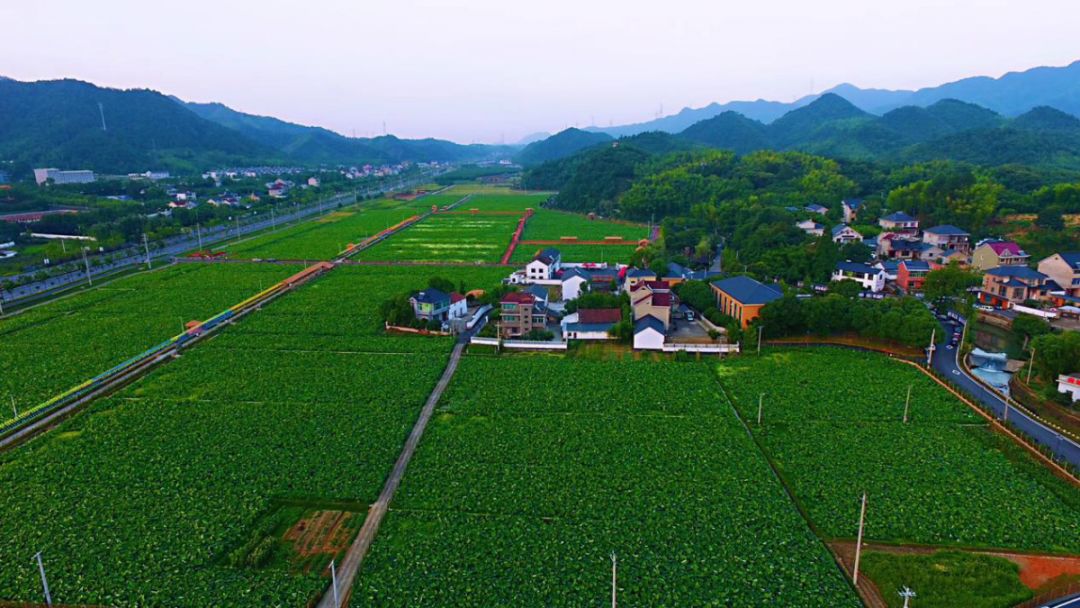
x=141, y=499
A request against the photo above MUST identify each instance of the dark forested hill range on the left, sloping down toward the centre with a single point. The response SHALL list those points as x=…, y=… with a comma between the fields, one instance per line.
x=60, y=124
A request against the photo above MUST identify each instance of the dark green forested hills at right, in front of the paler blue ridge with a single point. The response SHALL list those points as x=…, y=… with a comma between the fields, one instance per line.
x=833, y=127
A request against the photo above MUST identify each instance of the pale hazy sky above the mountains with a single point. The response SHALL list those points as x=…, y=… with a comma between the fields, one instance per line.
x=485, y=71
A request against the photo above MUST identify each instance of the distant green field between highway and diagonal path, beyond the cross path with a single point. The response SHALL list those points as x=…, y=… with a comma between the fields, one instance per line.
x=323, y=238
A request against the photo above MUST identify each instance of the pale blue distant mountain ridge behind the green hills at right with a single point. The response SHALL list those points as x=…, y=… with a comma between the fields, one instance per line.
x=1009, y=96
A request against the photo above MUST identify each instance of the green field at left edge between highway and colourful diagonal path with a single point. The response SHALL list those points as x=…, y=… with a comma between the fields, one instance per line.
x=52, y=348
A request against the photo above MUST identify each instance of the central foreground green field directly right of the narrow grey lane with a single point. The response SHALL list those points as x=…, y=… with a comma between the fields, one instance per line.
x=535, y=469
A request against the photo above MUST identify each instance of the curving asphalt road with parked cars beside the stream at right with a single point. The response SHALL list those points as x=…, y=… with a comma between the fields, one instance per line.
x=944, y=362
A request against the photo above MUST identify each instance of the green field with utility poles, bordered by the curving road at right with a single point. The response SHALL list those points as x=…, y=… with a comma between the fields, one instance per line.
x=833, y=426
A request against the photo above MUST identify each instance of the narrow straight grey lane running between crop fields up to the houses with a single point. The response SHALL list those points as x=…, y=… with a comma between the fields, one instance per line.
x=350, y=566
